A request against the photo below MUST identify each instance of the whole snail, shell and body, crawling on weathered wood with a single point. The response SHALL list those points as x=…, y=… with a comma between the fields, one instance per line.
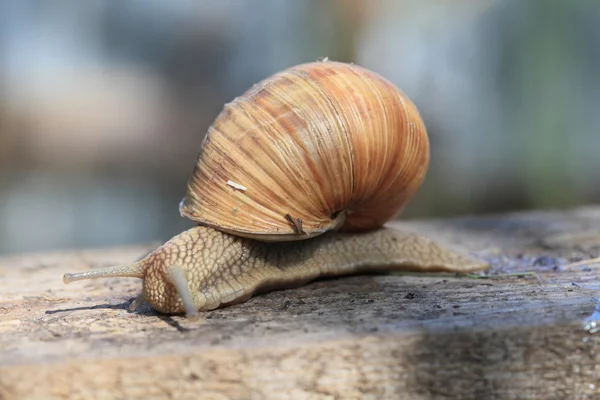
x=295, y=180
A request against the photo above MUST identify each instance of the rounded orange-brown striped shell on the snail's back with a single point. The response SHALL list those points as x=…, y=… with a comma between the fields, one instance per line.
x=316, y=147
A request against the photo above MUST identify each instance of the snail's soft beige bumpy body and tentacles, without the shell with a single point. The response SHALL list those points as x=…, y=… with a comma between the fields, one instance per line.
x=202, y=268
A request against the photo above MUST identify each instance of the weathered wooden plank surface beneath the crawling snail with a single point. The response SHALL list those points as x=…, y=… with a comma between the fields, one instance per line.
x=435, y=336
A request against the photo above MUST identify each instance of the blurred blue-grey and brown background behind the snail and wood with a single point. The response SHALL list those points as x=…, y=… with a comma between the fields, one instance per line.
x=103, y=103
